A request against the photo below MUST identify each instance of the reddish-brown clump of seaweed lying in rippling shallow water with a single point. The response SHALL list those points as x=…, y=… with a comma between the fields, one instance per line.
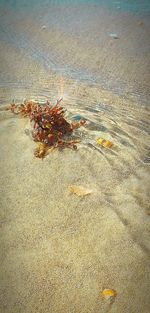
x=49, y=126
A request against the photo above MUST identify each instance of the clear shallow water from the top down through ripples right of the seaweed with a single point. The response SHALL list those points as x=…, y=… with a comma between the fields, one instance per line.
x=65, y=49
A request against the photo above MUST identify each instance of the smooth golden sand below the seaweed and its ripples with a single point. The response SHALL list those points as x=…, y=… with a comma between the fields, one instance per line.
x=59, y=251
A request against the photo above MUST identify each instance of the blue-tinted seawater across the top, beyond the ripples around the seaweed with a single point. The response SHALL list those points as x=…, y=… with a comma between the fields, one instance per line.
x=73, y=38
